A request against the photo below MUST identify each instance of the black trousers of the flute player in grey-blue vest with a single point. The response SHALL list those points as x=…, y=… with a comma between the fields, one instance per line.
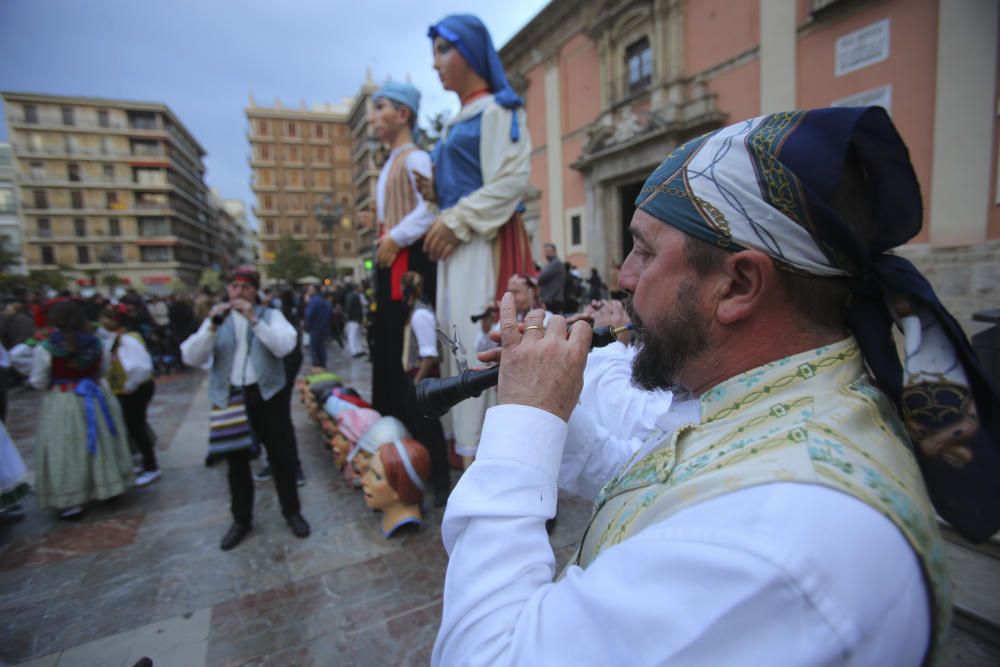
x=271, y=421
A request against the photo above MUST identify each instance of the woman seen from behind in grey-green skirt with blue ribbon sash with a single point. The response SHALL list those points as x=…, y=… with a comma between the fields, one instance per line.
x=81, y=446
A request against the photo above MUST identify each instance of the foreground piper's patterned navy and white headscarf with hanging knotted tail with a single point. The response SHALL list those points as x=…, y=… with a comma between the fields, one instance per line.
x=769, y=183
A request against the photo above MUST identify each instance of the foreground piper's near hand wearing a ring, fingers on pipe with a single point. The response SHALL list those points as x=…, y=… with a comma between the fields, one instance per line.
x=541, y=366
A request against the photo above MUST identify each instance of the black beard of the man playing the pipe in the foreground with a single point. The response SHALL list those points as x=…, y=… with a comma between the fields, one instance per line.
x=679, y=338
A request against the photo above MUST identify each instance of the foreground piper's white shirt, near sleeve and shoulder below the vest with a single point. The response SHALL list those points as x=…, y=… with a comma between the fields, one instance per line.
x=779, y=574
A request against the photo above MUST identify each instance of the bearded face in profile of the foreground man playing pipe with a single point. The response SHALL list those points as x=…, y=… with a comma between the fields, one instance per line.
x=672, y=324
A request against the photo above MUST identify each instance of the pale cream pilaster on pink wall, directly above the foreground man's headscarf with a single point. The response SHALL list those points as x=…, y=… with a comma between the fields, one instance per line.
x=777, y=55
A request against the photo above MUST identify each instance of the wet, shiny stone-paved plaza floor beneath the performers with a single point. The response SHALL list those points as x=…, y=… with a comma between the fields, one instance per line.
x=144, y=575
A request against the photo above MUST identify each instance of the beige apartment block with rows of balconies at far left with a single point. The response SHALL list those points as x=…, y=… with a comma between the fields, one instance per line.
x=110, y=187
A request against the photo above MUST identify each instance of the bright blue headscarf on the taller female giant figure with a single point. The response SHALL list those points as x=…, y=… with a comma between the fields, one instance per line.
x=468, y=34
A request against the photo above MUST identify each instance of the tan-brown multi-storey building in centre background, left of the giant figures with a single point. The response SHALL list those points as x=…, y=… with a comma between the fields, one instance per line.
x=299, y=157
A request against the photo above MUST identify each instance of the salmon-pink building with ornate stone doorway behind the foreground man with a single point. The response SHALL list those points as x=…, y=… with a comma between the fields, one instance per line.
x=612, y=87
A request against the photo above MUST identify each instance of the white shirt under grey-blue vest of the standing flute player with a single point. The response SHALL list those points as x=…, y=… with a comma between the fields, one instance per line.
x=276, y=334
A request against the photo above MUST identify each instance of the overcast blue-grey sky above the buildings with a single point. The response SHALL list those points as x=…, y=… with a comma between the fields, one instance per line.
x=203, y=57
